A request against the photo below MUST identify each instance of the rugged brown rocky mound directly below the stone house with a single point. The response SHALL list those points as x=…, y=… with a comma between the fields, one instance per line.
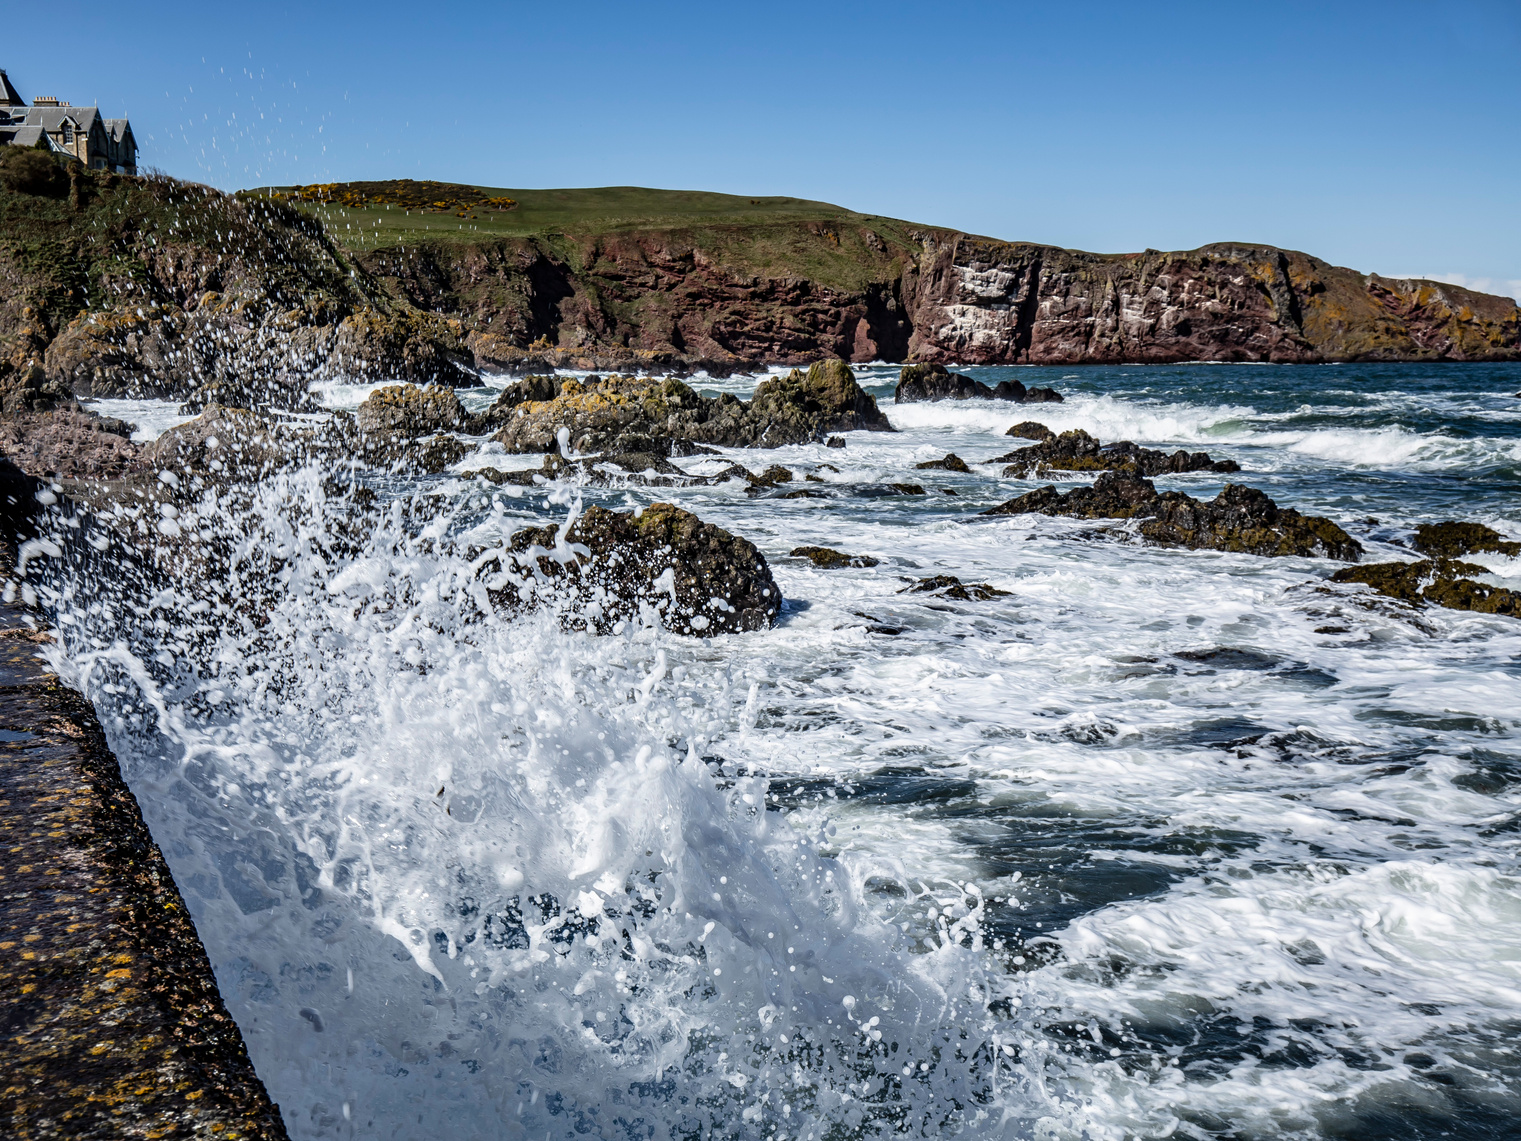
x=160, y=288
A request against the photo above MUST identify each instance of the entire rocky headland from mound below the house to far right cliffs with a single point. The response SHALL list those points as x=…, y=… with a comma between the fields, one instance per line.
x=132, y=287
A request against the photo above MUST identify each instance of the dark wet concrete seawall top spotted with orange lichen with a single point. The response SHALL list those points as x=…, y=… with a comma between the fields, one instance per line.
x=110, y=1020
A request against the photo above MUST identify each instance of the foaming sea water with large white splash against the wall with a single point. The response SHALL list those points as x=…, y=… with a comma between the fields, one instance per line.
x=1158, y=844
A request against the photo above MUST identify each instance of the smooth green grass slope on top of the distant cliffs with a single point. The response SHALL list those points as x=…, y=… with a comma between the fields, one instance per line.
x=588, y=211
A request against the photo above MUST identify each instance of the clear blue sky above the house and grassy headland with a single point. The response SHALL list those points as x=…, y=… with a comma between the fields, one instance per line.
x=1380, y=136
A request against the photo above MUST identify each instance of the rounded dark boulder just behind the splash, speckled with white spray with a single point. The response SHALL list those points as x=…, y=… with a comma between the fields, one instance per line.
x=664, y=564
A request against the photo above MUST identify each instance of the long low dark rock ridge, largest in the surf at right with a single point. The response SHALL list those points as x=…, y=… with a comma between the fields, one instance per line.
x=1239, y=520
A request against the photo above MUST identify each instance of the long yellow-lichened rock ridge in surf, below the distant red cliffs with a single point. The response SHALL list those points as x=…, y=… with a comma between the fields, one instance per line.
x=668, y=418
